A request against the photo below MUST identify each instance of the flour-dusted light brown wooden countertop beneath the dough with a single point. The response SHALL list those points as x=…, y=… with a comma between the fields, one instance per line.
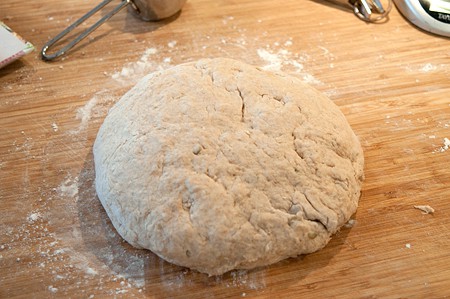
x=391, y=80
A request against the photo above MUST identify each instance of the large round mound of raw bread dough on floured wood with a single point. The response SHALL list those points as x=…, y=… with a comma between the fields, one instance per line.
x=217, y=165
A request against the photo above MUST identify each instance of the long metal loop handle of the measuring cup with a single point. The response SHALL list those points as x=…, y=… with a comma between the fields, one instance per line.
x=81, y=36
